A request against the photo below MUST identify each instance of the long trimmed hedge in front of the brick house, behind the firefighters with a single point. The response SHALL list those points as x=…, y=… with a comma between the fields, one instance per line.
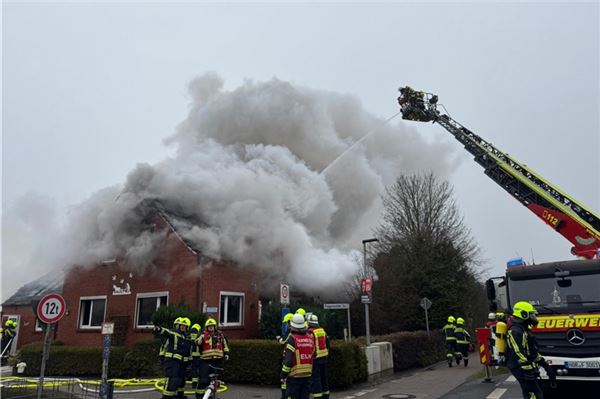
x=252, y=361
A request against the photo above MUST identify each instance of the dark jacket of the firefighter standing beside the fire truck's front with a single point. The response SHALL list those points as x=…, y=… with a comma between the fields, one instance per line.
x=522, y=350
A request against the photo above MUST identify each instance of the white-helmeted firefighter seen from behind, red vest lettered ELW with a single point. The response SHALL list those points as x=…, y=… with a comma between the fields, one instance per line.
x=297, y=365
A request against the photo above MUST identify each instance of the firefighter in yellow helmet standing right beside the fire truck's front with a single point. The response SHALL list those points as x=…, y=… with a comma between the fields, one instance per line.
x=523, y=358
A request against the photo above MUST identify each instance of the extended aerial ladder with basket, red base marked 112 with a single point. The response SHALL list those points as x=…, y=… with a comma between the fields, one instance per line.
x=557, y=209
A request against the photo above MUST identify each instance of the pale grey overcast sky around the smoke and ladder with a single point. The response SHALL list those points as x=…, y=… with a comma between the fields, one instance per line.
x=89, y=90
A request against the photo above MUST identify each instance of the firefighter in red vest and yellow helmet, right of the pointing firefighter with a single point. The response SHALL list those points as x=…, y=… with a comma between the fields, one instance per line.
x=213, y=349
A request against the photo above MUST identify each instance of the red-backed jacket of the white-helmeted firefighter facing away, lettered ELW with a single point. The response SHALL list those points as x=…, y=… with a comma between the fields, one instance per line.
x=298, y=355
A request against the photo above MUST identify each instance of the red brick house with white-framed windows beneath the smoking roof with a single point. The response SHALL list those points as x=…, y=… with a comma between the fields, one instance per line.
x=128, y=295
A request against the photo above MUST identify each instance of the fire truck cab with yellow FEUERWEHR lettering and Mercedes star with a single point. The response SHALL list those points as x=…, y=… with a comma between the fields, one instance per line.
x=567, y=298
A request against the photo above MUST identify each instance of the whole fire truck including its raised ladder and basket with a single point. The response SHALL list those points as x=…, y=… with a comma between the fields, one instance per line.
x=566, y=293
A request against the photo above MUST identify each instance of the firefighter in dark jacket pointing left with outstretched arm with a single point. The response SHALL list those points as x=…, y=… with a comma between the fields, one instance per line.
x=175, y=350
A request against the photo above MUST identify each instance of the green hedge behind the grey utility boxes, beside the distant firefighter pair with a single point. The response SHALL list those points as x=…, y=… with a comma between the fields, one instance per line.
x=413, y=348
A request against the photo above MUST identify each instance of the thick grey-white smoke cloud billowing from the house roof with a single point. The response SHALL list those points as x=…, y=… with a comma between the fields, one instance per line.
x=248, y=165
